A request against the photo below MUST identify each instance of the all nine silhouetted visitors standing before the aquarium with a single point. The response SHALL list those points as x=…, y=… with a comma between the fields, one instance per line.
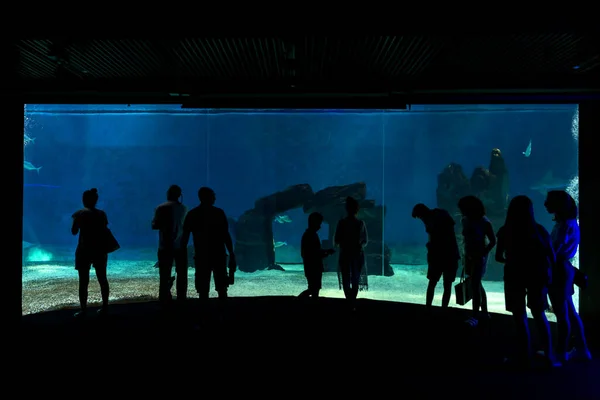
x=537, y=264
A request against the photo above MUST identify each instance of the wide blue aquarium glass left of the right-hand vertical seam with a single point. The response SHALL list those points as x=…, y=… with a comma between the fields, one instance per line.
x=269, y=169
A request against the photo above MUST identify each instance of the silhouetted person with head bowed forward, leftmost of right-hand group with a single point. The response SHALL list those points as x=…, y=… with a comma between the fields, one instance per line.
x=442, y=251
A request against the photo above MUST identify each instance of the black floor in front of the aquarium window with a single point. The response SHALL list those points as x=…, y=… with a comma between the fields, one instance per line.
x=282, y=345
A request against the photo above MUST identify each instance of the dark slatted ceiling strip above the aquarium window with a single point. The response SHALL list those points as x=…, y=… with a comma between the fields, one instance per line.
x=309, y=68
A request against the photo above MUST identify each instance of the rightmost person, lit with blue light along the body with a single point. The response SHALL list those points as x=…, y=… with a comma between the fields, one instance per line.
x=565, y=241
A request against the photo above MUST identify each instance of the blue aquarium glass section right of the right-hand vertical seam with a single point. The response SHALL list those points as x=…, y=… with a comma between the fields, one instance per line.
x=436, y=154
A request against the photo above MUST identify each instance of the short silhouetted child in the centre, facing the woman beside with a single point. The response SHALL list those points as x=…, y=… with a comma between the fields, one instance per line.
x=312, y=256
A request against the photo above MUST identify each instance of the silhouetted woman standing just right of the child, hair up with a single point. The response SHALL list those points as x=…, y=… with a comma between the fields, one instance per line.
x=352, y=237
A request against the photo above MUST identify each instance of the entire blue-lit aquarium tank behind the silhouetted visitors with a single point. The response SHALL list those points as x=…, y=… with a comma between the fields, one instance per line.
x=280, y=165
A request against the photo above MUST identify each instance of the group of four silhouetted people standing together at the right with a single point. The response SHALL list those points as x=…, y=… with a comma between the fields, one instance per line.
x=537, y=268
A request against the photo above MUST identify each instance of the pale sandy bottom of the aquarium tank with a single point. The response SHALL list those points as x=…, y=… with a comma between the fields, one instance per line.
x=48, y=286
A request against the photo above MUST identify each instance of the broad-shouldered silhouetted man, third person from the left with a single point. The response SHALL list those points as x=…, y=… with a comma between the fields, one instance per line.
x=208, y=224
